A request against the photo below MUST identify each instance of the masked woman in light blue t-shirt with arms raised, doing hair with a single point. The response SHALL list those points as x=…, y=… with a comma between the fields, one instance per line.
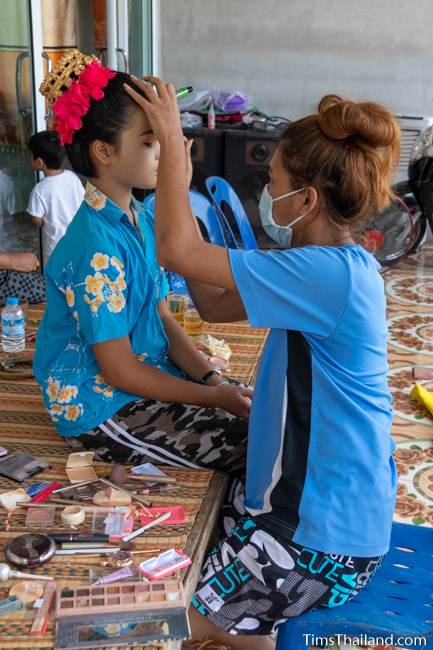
x=315, y=519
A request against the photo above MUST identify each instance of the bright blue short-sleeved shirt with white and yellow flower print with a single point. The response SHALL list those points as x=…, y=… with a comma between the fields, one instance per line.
x=103, y=282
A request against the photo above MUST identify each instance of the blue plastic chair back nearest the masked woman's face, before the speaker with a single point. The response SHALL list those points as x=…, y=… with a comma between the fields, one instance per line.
x=222, y=192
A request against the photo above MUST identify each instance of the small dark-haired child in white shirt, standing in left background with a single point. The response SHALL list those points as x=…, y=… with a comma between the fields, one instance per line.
x=55, y=199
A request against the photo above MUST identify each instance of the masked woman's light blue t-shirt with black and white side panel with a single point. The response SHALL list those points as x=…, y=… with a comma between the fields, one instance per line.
x=320, y=469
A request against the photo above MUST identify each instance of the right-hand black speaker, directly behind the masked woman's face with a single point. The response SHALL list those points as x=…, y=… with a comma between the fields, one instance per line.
x=246, y=160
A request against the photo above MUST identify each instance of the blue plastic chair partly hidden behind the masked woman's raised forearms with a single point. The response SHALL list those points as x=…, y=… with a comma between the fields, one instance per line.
x=205, y=213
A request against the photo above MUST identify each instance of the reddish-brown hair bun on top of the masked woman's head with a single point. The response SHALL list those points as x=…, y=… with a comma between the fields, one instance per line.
x=367, y=122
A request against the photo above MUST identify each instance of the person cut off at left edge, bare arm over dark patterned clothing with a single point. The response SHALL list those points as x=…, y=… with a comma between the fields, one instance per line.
x=18, y=278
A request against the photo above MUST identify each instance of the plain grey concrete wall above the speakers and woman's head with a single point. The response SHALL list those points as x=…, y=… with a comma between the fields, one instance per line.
x=288, y=53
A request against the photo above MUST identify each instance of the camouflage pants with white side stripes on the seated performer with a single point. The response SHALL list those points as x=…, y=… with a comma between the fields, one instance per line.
x=180, y=435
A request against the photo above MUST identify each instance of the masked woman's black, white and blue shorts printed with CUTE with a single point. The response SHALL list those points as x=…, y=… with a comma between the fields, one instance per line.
x=253, y=580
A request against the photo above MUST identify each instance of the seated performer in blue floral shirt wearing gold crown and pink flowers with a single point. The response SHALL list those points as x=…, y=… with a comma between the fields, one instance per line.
x=111, y=361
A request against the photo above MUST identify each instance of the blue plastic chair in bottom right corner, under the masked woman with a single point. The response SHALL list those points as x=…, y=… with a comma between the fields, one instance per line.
x=398, y=600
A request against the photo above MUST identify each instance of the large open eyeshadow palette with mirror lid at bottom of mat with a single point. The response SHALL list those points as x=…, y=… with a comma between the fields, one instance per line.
x=121, y=615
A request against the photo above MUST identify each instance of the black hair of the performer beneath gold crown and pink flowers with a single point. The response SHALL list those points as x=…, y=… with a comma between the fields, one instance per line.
x=104, y=121
